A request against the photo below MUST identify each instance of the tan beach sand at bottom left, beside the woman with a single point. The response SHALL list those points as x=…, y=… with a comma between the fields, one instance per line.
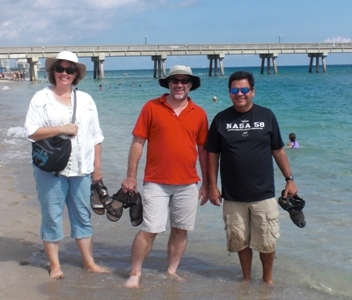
x=19, y=240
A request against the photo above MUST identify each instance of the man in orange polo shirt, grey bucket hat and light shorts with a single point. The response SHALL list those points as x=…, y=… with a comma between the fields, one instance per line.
x=175, y=127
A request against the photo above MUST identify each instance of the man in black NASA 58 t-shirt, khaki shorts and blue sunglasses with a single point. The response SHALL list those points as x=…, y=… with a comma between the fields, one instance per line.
x=245, y=137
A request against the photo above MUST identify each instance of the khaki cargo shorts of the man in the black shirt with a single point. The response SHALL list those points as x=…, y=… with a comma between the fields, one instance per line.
x=251, y=224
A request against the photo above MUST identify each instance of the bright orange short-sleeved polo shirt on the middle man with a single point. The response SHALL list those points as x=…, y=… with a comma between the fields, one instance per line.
x=171, y=141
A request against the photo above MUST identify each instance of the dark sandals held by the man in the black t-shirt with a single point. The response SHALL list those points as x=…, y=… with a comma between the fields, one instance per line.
x=294, y=205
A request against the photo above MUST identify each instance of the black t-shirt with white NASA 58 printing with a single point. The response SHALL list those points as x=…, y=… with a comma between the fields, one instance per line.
x=245, y=142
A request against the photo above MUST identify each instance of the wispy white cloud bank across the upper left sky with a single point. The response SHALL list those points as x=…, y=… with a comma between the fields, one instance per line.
x=43, y=22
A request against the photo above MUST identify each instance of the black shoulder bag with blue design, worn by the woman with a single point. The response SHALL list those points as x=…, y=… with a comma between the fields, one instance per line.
x=52, y=154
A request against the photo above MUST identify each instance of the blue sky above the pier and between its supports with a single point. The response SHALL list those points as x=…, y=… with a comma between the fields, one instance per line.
x=111, y=22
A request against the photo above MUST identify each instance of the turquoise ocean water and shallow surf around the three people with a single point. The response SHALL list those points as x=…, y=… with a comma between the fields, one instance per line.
x=311, y=263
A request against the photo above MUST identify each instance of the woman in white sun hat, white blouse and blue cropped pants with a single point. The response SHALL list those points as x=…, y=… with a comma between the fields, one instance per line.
x=49, y=114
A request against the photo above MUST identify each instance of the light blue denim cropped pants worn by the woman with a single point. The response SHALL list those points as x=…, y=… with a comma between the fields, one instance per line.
x=53, y=193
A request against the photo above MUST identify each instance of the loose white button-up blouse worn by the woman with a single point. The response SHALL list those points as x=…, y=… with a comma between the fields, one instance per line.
x=45, y=111
